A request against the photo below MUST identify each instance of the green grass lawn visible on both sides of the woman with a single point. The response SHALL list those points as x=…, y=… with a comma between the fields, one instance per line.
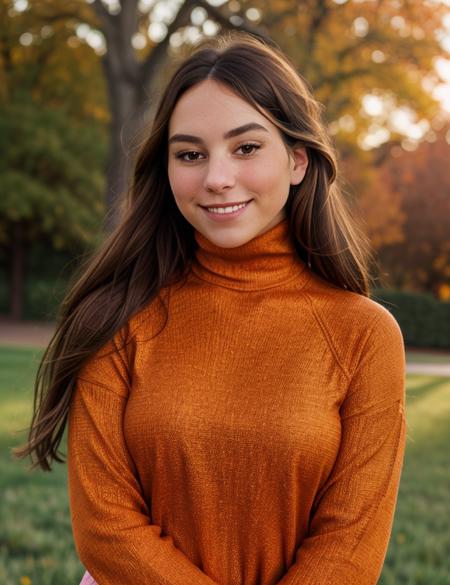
x=36, y=546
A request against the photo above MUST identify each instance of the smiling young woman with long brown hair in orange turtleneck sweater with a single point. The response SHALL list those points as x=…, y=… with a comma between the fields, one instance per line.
x=235, y=398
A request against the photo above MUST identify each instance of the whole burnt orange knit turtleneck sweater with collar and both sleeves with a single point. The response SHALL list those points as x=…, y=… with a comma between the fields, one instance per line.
x=257, y=439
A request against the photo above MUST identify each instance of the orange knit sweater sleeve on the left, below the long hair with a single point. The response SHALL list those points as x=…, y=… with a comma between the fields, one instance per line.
x=114, y=536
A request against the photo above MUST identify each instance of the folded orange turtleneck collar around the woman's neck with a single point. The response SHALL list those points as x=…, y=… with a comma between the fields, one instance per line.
x=267, y=261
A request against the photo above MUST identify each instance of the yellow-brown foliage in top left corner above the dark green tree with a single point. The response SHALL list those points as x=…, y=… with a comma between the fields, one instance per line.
x=44, y=61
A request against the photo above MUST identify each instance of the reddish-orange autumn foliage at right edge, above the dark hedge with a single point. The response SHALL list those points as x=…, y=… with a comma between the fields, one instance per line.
x=407, y=214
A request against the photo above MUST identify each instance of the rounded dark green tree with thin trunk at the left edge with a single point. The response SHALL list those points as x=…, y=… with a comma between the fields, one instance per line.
x=51, y=185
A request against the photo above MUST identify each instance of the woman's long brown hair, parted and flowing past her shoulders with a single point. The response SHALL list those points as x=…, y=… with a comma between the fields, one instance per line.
x=153, y=245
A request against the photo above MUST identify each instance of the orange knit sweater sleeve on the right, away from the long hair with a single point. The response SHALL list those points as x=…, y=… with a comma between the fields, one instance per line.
x=353, y=512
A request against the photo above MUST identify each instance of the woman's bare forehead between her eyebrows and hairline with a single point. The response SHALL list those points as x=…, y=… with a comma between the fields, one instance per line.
x=212, y=107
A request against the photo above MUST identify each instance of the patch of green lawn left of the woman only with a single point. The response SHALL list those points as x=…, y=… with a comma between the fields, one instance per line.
x=36, y=546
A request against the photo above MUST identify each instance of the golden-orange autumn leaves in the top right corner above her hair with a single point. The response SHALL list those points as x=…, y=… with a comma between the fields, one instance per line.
x=347, y=49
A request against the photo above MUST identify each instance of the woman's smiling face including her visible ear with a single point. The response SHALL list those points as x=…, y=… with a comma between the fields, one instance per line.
x=225, y=155
